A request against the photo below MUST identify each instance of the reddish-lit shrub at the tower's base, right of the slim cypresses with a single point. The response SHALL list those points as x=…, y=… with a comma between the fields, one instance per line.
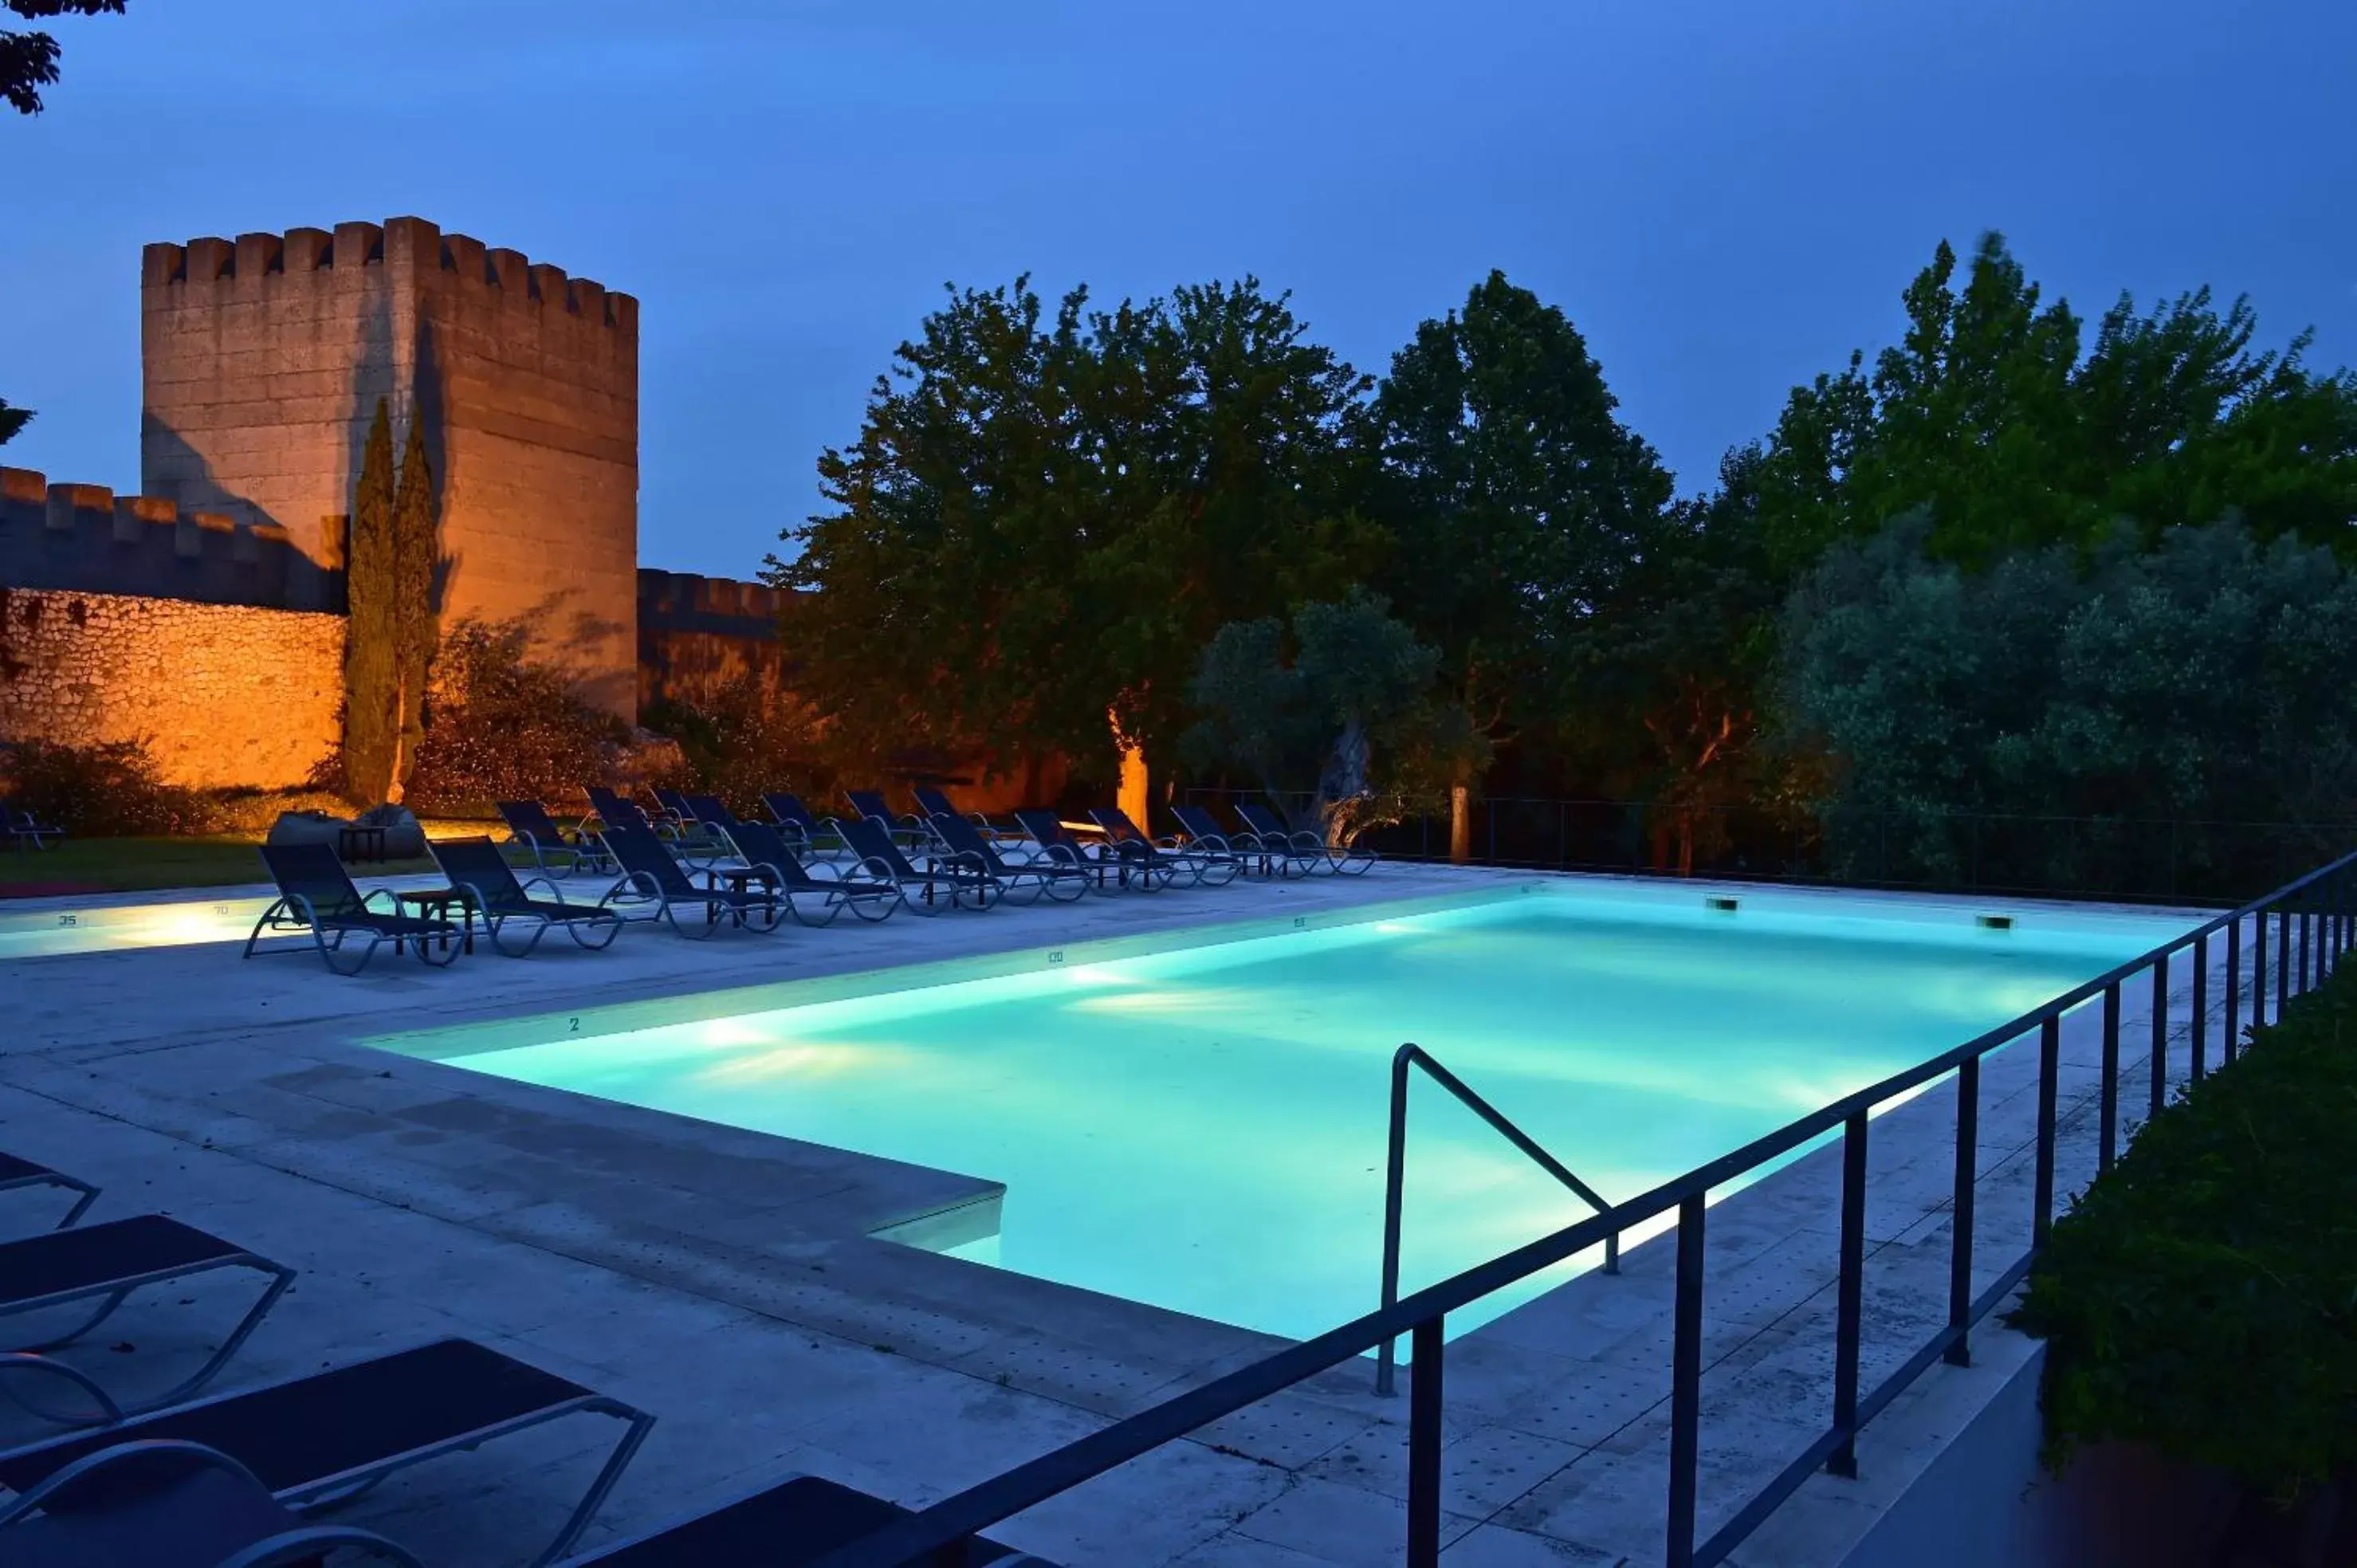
x=506, y=727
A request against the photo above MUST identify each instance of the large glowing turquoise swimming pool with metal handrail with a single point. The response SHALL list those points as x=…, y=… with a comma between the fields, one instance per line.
x=1203, y=1126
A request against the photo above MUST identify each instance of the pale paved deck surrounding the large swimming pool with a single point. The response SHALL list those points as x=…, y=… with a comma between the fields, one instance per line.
x=727, y=1279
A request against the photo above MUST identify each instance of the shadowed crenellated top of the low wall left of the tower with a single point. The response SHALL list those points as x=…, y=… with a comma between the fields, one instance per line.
x=86, y=539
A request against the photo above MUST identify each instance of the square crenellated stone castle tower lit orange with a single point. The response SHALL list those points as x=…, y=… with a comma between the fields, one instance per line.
x=265, y=360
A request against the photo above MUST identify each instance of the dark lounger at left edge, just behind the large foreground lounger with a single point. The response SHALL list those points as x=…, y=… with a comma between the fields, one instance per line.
x=107, y=1263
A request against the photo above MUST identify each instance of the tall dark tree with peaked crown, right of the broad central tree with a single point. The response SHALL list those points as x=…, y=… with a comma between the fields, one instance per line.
x=1519, y=501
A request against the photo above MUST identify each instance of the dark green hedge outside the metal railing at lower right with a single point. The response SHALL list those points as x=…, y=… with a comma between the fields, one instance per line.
x=2203, y=1296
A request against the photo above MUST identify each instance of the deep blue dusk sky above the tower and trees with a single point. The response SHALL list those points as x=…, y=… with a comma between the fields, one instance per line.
x=1724, y=197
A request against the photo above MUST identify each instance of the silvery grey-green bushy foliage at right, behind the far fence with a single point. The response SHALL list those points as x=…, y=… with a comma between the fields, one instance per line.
x=2200, y=680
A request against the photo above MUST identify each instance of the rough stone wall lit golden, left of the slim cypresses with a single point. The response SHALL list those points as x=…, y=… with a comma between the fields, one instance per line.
x=223, y=694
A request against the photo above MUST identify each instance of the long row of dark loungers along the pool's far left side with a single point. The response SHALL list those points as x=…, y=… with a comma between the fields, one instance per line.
x=701, y=869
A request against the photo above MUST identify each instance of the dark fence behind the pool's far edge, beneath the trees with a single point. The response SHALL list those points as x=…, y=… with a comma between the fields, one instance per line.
x=2104, y=857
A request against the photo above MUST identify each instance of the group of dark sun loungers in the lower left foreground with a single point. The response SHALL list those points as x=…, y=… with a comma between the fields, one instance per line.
x=178, y=1482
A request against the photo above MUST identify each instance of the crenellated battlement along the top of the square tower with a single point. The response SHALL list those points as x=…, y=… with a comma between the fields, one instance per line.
x=251, y=261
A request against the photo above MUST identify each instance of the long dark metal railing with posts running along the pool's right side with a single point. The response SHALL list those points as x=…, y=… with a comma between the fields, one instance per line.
x=2332, y=933
